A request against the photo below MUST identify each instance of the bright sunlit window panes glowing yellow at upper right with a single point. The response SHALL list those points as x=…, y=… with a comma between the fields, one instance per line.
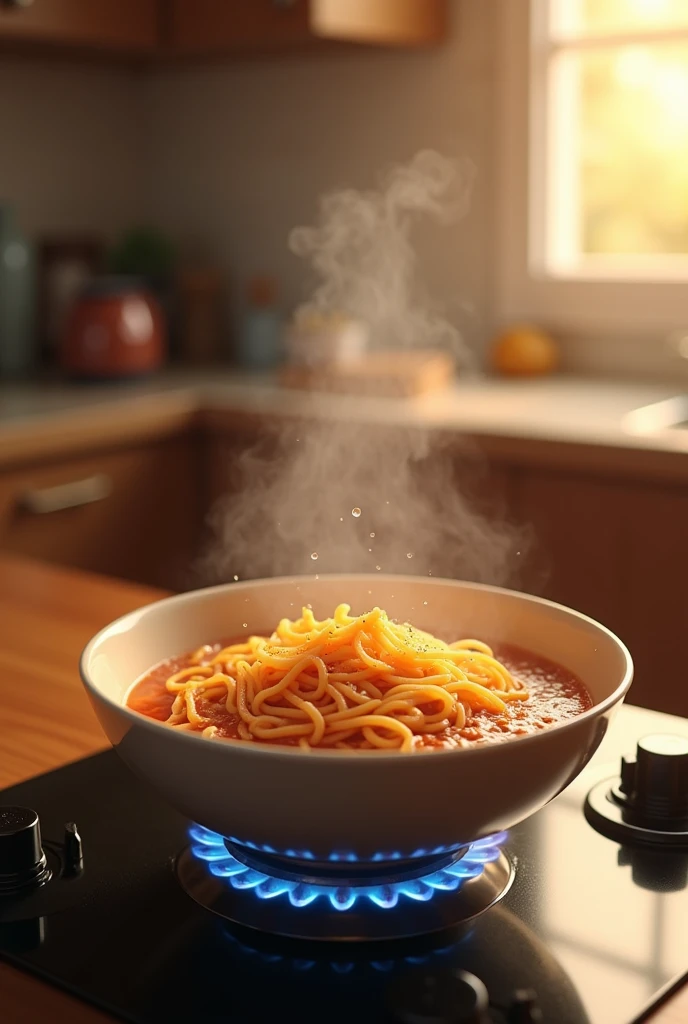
x=615, y=144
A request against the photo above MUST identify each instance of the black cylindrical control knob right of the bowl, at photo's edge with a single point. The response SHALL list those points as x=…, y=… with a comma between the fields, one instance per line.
x=656, y=785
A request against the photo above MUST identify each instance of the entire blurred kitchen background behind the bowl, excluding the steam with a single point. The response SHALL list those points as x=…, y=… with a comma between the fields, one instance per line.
x=156, y=157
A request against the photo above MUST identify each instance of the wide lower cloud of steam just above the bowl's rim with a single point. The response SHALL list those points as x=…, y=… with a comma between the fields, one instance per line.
x=297, y=491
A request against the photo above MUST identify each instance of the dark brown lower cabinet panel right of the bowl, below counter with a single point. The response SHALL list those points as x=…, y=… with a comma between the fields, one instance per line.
x=615, y=550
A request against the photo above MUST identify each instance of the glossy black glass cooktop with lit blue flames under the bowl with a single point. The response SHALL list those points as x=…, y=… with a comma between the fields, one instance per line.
x=589, y=932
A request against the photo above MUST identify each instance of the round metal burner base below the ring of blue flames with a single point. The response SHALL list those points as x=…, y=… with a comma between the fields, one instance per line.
x=364, y=922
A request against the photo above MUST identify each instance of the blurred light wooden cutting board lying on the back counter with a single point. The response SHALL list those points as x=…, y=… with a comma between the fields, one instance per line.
x=390, y=374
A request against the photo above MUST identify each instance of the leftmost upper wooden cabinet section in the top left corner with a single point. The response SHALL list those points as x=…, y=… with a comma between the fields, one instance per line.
x=126, y=26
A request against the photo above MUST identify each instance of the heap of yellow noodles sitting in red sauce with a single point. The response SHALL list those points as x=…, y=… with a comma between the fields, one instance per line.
x=348, y=682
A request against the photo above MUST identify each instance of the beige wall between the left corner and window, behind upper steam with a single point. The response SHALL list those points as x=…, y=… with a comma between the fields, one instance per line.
x=240, y=153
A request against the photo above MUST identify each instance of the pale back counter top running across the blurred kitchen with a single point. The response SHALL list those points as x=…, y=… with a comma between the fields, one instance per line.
x=545, y=420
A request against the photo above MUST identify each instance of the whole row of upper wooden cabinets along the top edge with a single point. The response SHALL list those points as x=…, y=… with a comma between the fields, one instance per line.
x=198, y=28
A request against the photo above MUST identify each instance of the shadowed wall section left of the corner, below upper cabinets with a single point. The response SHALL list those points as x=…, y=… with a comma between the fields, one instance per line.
x=71, y=146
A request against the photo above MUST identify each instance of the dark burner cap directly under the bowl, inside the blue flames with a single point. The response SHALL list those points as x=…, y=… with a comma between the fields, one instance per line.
x=342, y=873
